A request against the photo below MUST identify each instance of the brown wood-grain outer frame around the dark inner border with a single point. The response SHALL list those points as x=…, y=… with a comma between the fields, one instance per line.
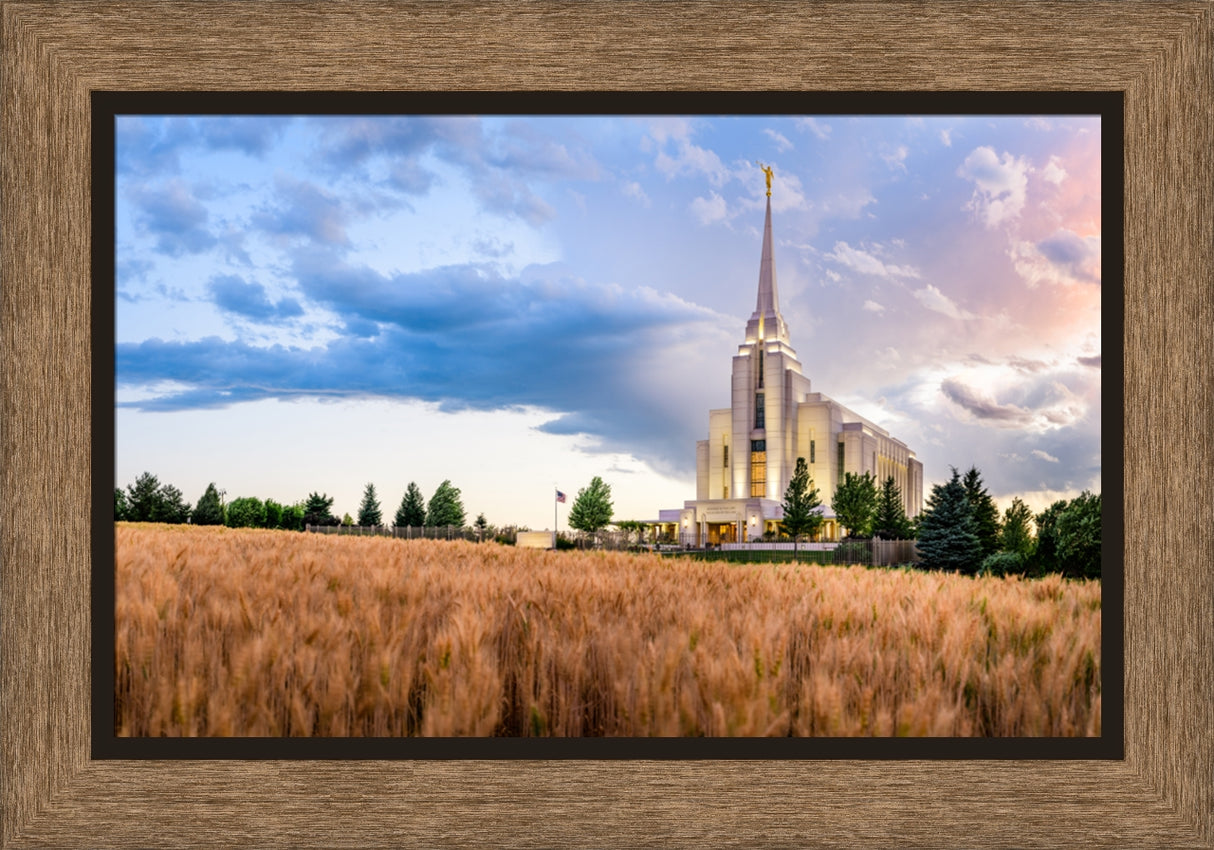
x=54, y=54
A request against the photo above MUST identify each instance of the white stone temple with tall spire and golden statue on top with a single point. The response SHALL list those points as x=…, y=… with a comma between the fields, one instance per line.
x=744, y=468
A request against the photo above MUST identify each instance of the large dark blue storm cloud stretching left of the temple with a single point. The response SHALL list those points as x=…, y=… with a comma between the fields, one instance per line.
x=463, y=337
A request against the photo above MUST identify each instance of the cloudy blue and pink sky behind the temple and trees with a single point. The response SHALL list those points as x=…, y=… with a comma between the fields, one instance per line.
x=521, y=303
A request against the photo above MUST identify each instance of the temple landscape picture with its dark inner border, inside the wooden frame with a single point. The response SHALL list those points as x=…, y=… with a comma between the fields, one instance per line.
x=492, y=292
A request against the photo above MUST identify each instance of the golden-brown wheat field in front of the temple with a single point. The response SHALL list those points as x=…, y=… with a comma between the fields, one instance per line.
x=263, y=633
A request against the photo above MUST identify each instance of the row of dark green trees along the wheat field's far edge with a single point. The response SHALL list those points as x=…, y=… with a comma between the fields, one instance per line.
x=958, y=531
